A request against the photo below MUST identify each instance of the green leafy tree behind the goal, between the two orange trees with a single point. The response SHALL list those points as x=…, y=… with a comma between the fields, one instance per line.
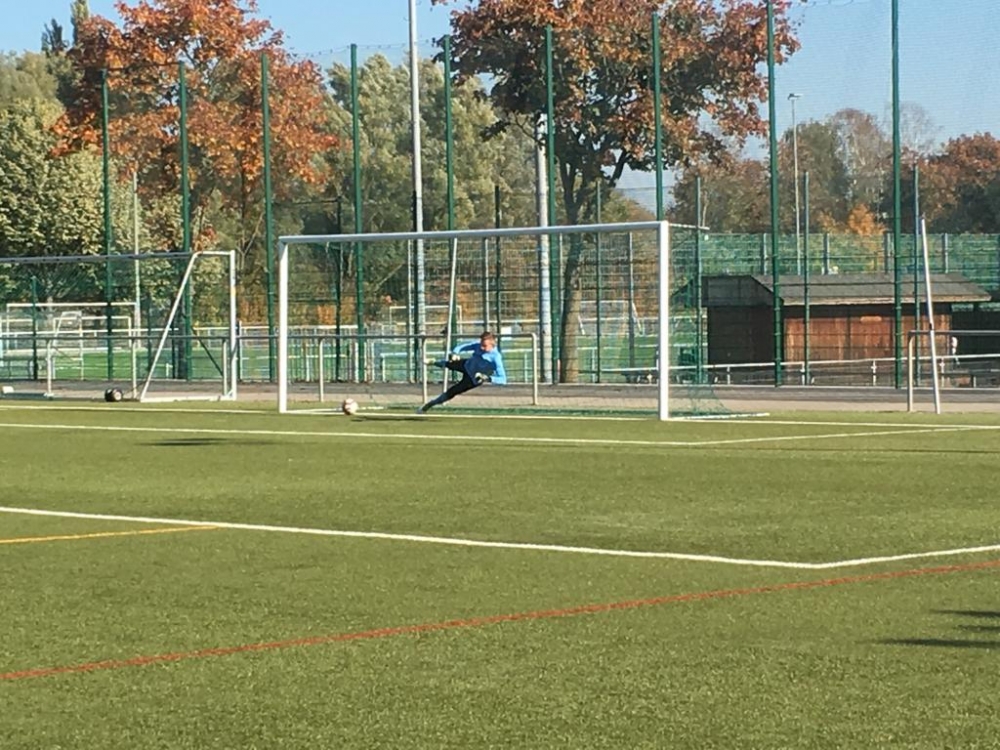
x=387, y=162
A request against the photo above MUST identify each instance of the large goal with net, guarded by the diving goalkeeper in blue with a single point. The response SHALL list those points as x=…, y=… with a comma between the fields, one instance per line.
x=582, y=314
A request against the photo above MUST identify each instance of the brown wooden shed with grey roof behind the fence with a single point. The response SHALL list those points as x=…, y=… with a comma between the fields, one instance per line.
x=851, y=315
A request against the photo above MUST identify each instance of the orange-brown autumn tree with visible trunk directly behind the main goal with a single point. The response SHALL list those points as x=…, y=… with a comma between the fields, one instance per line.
x=712, y=54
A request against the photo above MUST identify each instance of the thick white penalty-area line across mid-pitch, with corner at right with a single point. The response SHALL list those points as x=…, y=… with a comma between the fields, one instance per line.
x=460, y=542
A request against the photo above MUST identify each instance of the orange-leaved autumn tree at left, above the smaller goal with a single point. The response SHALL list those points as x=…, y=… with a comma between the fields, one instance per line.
x=221, y=45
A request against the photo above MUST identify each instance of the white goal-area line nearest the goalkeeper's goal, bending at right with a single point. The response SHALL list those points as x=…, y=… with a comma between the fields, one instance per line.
x=466, y=438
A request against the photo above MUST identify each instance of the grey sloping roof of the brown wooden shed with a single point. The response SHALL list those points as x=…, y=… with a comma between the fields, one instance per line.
x=836, y=289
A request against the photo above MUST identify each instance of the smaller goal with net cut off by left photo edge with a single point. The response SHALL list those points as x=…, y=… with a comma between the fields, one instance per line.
x=153, y=325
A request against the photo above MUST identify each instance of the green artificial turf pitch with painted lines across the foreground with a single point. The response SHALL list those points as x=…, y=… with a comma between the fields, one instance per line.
x=114, y=639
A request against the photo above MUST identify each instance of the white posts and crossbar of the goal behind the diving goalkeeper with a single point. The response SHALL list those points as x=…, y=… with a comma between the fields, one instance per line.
x=661, y=228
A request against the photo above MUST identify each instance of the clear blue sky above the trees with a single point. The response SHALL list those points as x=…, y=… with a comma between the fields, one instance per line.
x=950, y=54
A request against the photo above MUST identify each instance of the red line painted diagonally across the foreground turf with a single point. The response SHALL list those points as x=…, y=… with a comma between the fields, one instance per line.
x=476, y=622
